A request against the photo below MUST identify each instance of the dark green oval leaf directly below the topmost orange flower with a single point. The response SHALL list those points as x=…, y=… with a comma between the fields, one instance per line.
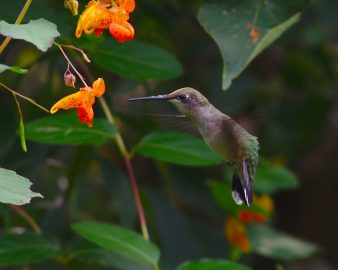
x=137, y=60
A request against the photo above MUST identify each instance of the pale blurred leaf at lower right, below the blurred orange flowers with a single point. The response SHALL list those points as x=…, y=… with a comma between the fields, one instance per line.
x=268, y=242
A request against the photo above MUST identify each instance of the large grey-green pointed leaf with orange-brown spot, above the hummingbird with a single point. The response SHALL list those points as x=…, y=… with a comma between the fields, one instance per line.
x=230, y=23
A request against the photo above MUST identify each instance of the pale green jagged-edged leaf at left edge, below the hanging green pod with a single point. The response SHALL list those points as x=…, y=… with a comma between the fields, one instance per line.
x=15, y=189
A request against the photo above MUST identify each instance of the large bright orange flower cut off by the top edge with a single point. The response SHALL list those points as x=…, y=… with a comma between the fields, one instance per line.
x=104, y=15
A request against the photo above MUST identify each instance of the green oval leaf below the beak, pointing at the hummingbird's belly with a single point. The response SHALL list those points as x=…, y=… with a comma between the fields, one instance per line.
x=177, y=148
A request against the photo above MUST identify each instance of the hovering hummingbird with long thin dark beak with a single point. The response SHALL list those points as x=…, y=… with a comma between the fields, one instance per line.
x=236, y=146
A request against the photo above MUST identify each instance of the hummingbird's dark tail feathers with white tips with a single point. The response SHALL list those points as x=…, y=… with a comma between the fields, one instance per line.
x=241, y=186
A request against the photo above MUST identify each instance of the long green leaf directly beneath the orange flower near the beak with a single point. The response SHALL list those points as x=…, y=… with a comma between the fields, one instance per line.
x=65, y=128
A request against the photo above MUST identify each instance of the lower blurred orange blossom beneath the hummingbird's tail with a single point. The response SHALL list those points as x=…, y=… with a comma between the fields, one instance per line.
x=235, y=232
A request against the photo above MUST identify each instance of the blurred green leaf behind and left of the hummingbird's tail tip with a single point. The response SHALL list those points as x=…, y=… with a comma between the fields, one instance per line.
x=221, y=193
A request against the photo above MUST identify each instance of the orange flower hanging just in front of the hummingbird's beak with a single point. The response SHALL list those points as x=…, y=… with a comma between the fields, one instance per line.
x=83, y=100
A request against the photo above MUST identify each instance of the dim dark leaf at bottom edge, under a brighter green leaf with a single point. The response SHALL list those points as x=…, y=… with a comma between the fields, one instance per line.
x=105, y=258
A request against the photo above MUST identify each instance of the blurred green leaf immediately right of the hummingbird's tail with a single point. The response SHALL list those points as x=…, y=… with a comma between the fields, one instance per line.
x=271, y=178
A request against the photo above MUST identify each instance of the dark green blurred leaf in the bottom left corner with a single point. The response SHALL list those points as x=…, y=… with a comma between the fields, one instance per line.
x=27, y=248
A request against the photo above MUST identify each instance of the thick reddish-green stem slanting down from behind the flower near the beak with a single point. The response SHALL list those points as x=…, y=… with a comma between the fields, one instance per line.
x=133, y=183
